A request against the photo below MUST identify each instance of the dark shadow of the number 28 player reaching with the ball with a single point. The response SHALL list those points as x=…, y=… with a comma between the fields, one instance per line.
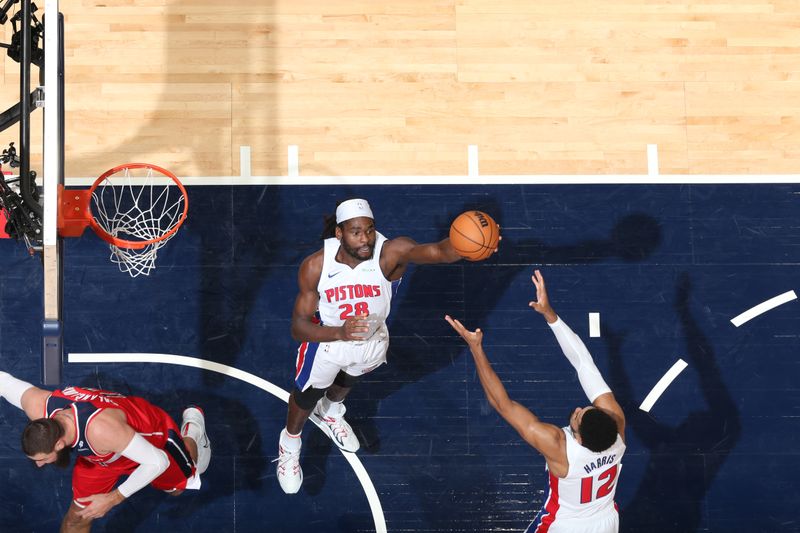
x=416, y=325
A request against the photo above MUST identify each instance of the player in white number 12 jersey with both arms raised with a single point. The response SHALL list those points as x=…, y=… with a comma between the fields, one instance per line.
x=583, y=458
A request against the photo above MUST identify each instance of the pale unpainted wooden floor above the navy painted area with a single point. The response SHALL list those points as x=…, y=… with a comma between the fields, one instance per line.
x=376, y=87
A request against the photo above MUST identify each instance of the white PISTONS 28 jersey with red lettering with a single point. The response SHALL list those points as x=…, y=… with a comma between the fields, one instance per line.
x=346, y=291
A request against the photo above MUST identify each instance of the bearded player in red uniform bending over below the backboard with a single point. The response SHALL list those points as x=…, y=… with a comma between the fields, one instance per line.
x=113, y=436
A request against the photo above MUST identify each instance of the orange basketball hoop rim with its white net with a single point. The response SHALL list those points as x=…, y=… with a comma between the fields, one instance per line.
x=141, y=209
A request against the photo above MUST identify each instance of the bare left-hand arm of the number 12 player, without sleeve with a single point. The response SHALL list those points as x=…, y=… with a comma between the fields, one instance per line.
x=546, y=438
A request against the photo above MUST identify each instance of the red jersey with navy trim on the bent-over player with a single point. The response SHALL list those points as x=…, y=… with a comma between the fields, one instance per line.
x=145, y=418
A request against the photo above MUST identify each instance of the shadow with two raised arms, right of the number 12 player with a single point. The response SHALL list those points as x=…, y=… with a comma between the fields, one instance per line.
x=684, y=460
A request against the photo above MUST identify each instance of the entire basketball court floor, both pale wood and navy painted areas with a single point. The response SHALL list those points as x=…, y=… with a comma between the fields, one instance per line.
x=370, y=87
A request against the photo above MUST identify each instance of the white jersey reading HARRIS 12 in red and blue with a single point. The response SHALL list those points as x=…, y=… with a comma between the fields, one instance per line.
x=588, y=489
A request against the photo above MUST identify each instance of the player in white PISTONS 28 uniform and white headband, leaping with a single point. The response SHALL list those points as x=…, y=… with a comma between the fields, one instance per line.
x=339, y=316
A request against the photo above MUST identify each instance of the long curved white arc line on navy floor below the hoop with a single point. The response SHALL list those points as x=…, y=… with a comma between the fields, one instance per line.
x=355, y=462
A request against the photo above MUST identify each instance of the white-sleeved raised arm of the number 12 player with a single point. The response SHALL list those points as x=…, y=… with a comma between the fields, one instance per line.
x=595, y=387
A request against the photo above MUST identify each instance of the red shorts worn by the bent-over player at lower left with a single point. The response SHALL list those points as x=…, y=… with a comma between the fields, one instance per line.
x=90, y=478
